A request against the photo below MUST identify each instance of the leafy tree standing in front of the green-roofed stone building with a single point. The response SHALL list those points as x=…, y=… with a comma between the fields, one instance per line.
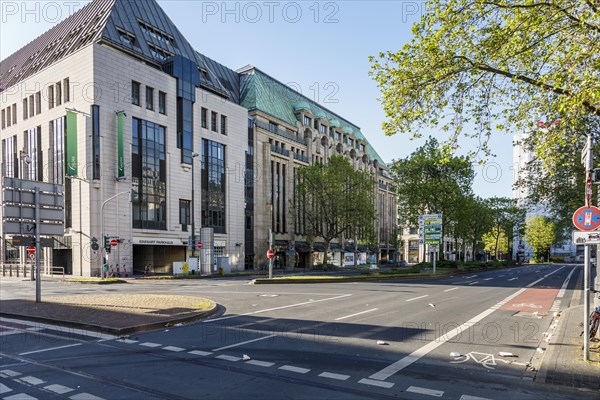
x=334, y=200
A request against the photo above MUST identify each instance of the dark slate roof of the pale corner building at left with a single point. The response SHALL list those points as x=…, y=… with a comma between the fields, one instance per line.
x=138, y=27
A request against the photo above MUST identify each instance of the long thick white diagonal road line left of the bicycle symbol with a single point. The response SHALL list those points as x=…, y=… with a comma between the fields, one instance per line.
x=424, y=350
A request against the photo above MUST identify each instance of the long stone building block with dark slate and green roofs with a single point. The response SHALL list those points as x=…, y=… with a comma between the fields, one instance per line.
x=159, y=147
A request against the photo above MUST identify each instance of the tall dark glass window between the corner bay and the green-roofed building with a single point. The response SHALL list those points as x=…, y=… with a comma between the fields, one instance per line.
x=213, y=185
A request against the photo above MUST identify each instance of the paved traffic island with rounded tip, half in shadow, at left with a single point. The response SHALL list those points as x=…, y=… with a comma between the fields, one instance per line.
x=116, y=314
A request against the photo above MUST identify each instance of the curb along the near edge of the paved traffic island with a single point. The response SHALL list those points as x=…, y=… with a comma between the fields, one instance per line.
x=116, y=331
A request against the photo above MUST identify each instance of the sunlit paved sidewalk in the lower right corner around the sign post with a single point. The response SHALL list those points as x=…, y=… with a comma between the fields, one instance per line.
x=563, y=362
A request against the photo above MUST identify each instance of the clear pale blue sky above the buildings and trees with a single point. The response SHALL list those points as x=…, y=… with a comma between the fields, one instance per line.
x=319, y=48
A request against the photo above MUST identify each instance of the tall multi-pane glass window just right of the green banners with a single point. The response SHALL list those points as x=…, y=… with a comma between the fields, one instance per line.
x=149, y=175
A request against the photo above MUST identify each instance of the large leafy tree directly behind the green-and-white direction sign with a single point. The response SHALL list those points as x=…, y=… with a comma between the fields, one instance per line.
x=428, y=182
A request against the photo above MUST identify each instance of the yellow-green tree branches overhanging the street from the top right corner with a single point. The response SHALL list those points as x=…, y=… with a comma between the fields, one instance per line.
x=496, y=65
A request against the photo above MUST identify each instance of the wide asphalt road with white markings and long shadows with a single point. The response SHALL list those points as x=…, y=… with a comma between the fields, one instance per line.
x=469, y=337
